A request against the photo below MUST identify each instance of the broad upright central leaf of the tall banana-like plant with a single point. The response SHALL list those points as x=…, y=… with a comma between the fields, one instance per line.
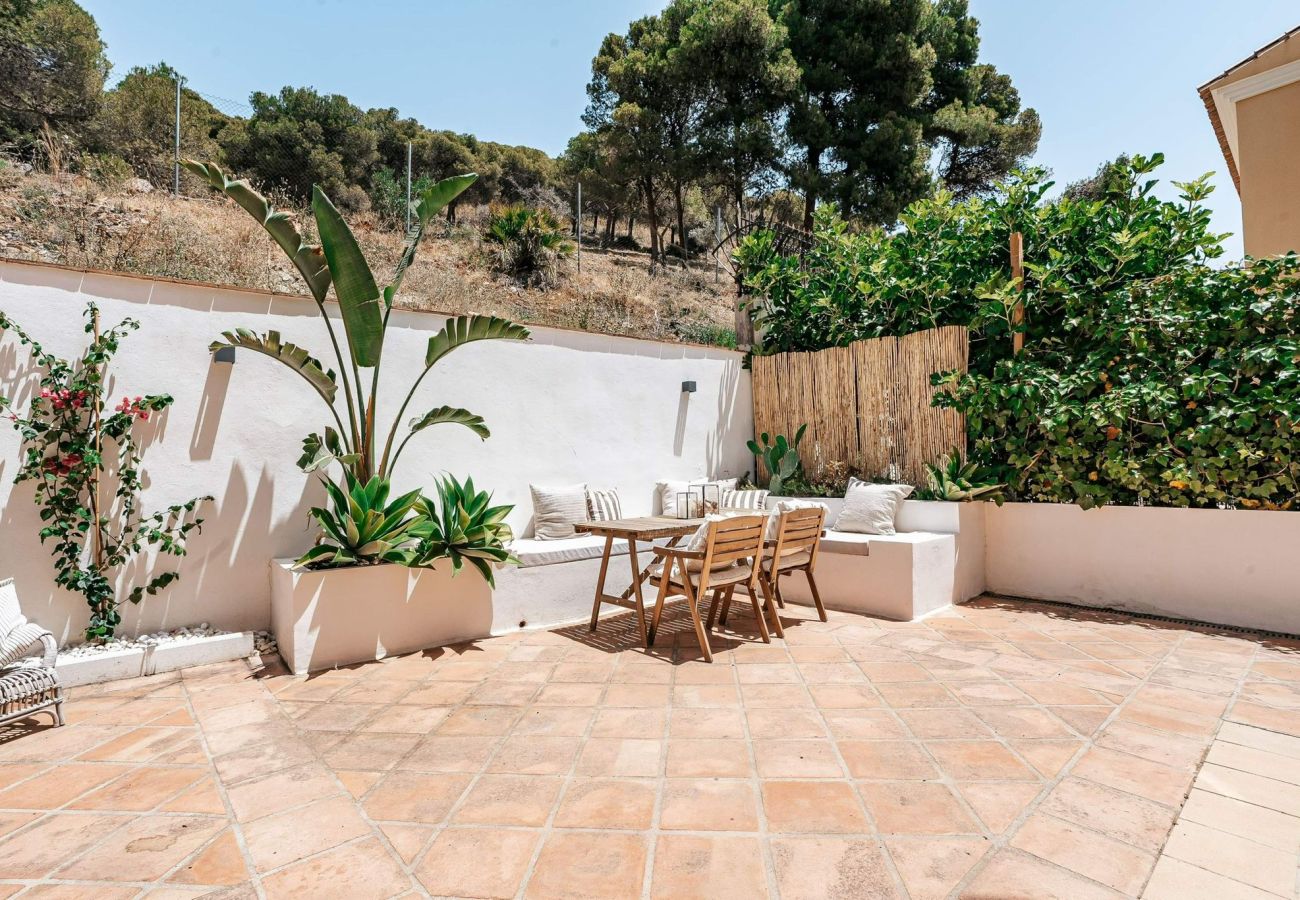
x=354, y=284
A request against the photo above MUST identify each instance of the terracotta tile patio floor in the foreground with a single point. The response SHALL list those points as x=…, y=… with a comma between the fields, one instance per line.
x=1006, y=750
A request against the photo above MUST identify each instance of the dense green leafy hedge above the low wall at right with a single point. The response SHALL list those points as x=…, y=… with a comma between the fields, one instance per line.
x=1149, y=377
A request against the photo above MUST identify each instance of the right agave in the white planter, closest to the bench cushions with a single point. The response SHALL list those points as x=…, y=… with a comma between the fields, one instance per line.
x=463, y=527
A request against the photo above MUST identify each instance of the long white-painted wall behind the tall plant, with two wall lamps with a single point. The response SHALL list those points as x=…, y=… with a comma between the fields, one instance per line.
x=565, y=408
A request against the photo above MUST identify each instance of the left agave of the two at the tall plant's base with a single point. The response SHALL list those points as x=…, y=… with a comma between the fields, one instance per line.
x=362, y=527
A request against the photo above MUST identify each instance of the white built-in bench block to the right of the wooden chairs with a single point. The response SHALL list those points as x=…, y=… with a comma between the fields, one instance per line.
x=935, y=560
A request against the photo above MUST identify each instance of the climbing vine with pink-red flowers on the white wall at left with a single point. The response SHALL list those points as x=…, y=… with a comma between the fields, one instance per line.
x=80, y=449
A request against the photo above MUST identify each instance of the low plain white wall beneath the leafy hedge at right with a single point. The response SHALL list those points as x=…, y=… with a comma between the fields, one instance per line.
x=1225, y=566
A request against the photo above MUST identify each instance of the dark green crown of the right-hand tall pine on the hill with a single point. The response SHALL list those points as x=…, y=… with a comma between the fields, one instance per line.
x=886, y=89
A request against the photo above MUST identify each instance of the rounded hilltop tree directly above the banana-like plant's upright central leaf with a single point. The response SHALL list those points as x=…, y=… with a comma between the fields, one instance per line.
x=300, y=139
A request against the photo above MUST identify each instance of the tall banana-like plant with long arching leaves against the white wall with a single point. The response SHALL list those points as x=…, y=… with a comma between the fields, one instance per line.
x=339, y=262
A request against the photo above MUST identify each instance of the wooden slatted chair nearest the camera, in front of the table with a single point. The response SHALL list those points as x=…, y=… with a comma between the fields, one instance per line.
x=730, y=559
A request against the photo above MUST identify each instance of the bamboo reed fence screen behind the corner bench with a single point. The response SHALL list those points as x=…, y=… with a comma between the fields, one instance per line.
x=868, y=405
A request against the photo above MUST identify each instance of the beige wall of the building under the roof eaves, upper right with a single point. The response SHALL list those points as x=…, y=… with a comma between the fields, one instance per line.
x=1268, y=128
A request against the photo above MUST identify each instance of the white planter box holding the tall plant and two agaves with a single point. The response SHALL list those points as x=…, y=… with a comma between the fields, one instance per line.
x=330, y=618
